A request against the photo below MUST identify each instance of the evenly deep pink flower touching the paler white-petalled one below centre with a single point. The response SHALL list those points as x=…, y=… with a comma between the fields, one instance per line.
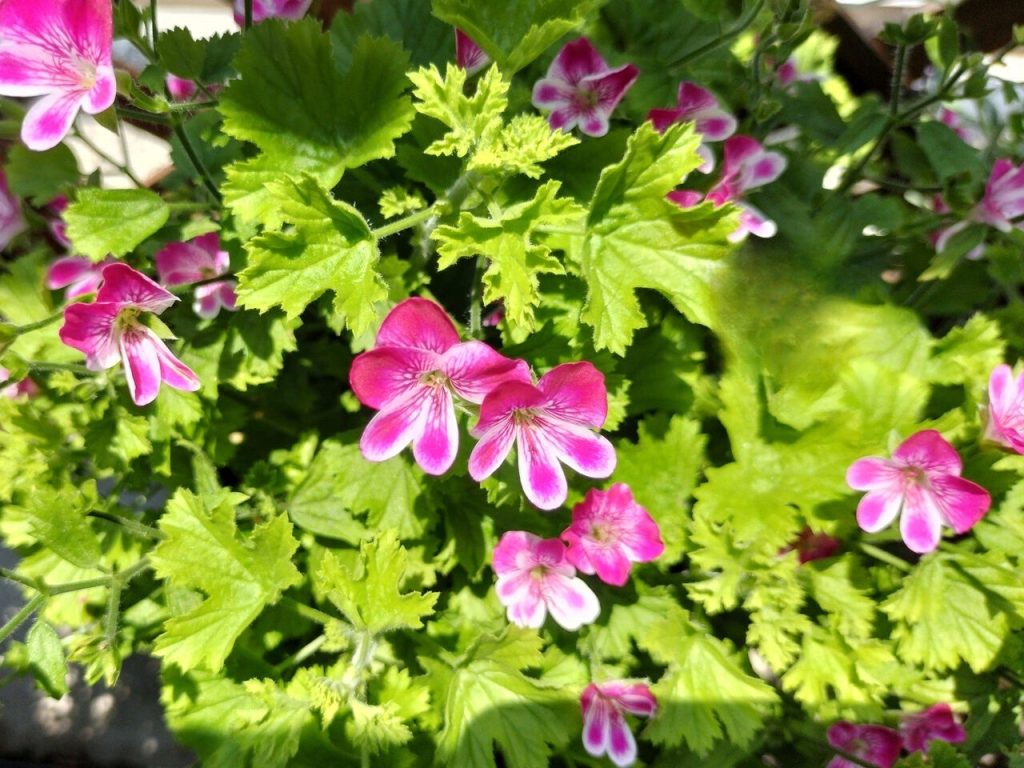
x=611, y=532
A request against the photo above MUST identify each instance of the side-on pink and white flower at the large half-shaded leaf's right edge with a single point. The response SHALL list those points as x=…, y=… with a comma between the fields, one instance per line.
x=748, y=166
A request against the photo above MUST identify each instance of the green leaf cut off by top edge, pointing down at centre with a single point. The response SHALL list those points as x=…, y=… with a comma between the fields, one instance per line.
x=516, y=34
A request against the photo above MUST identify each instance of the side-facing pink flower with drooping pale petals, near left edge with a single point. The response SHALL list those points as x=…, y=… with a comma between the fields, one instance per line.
x=109, y=330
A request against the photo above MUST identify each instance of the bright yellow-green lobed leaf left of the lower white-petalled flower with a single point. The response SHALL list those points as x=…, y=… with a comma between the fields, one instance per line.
x=370, y=594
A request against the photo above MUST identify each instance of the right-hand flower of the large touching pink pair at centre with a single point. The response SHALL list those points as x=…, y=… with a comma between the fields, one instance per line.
x=551, y=422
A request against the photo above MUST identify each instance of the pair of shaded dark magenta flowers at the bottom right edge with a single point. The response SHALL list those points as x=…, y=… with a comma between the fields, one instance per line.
x=879, y=746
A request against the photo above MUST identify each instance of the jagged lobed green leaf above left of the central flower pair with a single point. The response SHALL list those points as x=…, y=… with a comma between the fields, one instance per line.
x=329, y=247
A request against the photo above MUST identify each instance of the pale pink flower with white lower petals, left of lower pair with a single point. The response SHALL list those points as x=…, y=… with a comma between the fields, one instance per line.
x=535, y=577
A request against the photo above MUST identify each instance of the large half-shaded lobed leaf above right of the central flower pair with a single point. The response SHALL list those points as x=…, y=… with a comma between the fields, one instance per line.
x=636, y=239
